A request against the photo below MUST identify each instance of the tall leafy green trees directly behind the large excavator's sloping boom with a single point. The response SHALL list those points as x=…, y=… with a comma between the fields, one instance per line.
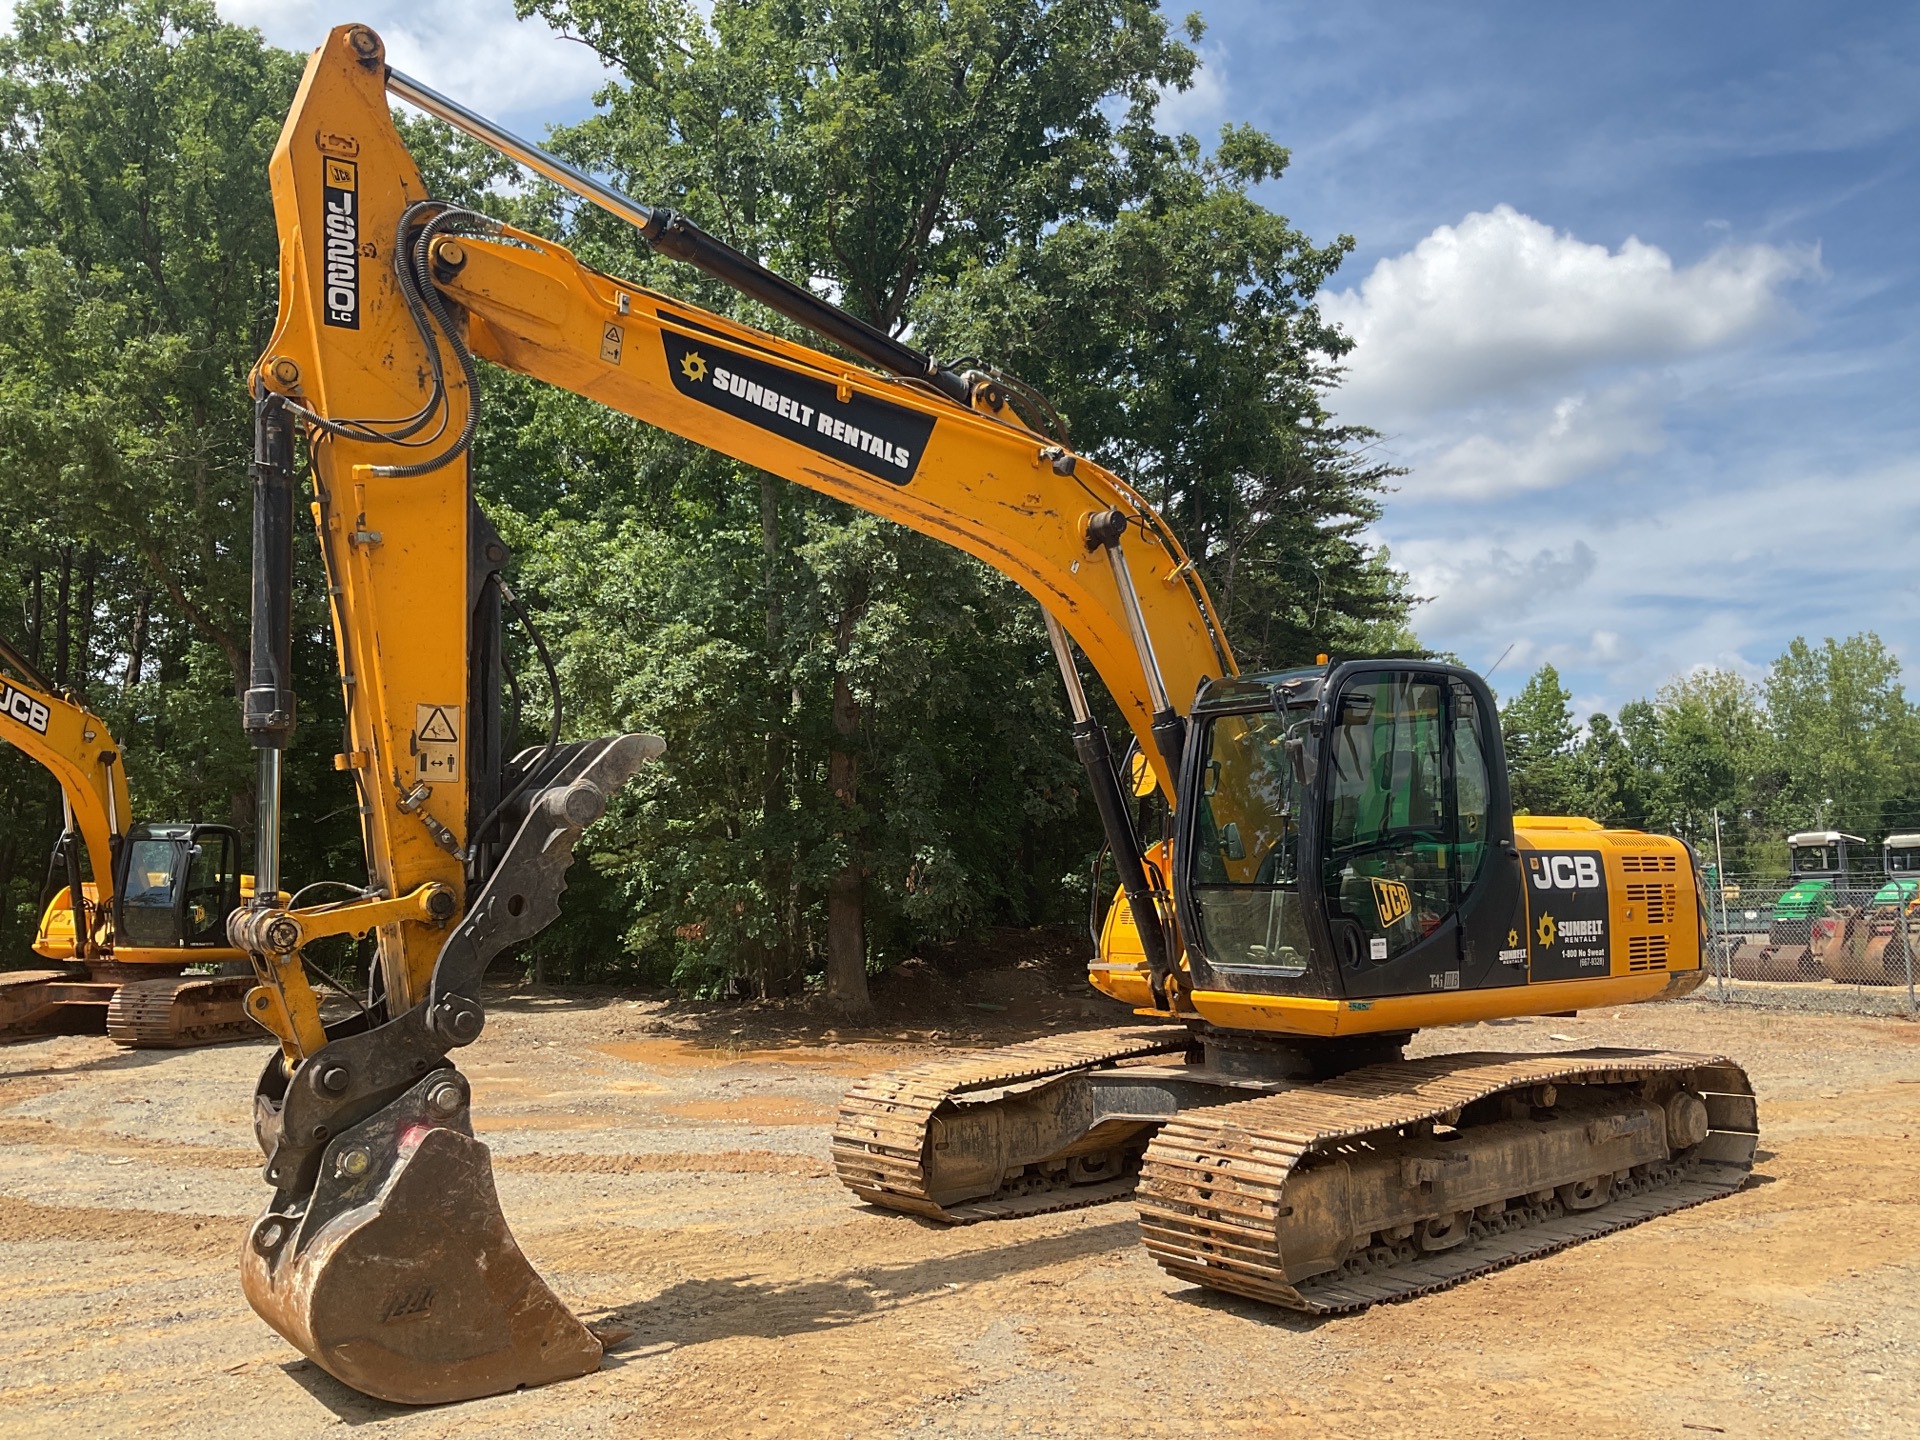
x=949, y=170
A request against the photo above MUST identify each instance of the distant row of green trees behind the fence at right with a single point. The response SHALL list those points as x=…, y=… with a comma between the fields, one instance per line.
x=1827, y=740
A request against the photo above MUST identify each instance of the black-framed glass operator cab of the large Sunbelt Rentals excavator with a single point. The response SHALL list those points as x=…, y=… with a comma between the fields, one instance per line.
x=1347, y=832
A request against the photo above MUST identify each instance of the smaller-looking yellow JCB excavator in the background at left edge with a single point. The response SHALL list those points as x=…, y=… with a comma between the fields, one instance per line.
x=158, y=900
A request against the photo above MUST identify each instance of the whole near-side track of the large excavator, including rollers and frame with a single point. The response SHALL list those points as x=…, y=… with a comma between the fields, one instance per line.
x=1241, y=1197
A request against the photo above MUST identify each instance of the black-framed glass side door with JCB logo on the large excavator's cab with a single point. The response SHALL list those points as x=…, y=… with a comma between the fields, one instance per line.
x=1418, y=878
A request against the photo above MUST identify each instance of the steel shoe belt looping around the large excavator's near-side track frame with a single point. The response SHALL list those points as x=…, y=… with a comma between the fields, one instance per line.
x=1212, y=1184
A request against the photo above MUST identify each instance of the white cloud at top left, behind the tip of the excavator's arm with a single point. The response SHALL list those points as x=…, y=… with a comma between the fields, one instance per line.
x=473, y=51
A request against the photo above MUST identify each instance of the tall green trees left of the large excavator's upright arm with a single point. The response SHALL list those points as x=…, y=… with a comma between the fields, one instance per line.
x=137, y=283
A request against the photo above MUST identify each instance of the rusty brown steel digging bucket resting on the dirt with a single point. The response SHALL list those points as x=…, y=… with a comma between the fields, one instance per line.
x=400, y=1278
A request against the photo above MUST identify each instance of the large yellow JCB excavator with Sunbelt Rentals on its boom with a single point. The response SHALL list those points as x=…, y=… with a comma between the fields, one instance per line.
x=1343, y=865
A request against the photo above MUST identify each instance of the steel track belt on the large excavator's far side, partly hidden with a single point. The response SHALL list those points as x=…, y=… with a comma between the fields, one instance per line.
x=884, y=1138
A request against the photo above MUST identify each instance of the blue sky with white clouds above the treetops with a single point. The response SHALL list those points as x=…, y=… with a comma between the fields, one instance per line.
x=1635, y=289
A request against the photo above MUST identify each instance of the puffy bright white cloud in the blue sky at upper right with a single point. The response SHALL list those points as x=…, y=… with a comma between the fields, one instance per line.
x=1502, y=302
